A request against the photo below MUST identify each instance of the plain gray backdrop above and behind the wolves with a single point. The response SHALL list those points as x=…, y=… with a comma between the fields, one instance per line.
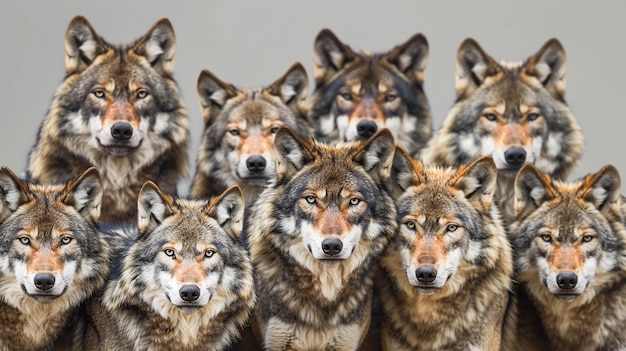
x=252, y=43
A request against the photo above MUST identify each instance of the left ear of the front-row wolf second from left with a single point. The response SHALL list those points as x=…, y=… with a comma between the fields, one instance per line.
x=153, y=207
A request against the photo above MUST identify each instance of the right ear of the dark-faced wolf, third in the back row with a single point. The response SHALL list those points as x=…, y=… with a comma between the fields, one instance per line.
x=411, y=57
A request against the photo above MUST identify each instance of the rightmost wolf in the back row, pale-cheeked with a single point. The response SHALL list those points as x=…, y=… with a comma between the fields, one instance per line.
x=515, y=112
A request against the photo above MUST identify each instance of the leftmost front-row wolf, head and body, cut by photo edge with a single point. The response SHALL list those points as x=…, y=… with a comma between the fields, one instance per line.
x=52, y=257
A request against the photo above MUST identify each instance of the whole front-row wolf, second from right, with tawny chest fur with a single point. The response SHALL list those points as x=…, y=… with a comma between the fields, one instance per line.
x=444, y=280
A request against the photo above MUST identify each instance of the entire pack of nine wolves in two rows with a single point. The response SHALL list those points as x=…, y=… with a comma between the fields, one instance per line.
x=333, y=218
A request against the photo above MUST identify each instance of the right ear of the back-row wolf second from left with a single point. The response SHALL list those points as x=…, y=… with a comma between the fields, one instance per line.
x=293, y=87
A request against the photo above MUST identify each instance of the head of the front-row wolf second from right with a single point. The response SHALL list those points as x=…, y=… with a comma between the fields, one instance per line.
x=446, y=221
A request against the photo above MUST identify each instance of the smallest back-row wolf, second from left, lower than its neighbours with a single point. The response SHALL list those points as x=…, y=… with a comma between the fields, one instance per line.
x=239, y=127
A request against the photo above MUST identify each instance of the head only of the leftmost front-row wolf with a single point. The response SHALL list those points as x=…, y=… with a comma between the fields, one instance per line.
x=50, y=249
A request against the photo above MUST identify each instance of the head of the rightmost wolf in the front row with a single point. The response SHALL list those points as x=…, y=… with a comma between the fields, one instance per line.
x=569, y=237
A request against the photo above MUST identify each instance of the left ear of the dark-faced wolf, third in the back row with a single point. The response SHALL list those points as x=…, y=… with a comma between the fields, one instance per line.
x=330, y=55
